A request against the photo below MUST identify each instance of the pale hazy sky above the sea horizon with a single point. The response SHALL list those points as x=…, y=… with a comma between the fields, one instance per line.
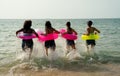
x=41, y=9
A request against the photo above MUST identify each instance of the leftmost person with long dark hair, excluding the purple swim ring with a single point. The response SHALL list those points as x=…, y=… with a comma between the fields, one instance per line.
x=28, y=31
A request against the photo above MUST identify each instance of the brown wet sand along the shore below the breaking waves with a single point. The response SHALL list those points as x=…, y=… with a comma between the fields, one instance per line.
x=109, y=69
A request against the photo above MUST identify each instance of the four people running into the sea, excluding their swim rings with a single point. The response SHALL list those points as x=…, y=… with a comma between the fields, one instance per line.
x=28, y=43
